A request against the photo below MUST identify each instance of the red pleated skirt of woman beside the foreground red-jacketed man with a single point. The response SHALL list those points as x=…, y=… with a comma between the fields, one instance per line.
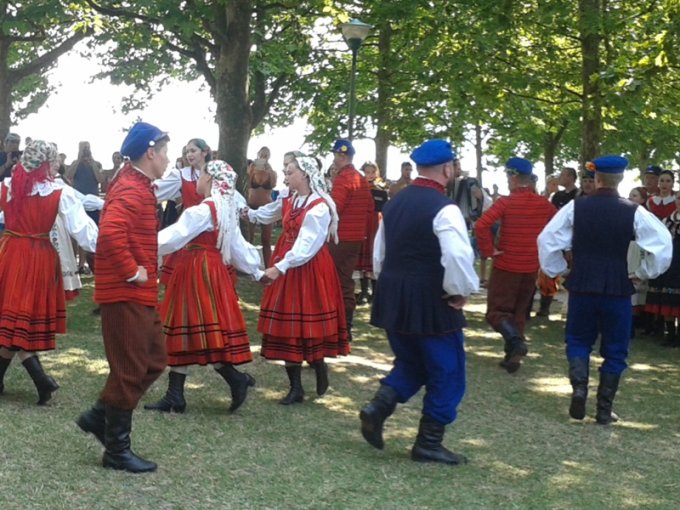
x=202, y=320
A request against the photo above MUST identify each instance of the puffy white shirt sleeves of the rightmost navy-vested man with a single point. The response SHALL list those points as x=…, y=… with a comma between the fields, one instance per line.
x=651, y=235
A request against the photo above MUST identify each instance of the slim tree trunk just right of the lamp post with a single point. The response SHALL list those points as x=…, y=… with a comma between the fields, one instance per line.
x=383, y=134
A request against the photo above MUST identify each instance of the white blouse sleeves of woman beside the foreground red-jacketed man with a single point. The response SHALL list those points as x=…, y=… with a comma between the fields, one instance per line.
x=198, y=219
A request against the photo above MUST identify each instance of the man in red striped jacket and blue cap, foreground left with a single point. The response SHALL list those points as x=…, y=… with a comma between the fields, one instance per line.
x=126, y=288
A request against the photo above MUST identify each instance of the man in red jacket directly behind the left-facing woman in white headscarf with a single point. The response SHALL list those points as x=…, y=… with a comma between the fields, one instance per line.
x=352, y=196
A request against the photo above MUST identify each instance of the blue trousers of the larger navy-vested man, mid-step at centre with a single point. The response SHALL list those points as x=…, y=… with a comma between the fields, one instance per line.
x=436, y=362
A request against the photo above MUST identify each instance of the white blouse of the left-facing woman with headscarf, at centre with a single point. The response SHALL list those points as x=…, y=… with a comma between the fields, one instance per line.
x=311, y=237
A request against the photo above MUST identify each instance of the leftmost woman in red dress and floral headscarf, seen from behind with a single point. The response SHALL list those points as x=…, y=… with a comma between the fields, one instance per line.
x=32, y=301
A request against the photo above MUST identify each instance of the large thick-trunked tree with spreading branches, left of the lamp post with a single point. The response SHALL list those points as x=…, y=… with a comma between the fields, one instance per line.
x=247, y=51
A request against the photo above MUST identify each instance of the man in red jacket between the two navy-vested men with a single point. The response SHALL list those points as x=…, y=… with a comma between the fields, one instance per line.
x=522, y=216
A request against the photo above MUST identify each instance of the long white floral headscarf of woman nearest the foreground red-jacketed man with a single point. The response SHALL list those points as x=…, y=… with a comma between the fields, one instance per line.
x=222, y=193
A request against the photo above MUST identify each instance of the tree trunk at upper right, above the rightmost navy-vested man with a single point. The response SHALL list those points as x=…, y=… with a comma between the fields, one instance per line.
x=590, y=22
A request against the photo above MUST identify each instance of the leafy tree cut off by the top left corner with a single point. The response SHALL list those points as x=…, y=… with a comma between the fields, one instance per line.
x=33, y=35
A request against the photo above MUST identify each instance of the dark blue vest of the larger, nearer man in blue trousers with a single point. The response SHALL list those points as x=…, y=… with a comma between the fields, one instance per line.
x=408, y=296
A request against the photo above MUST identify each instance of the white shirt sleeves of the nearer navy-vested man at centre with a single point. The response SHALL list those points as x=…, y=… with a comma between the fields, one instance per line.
x=460, y=277
